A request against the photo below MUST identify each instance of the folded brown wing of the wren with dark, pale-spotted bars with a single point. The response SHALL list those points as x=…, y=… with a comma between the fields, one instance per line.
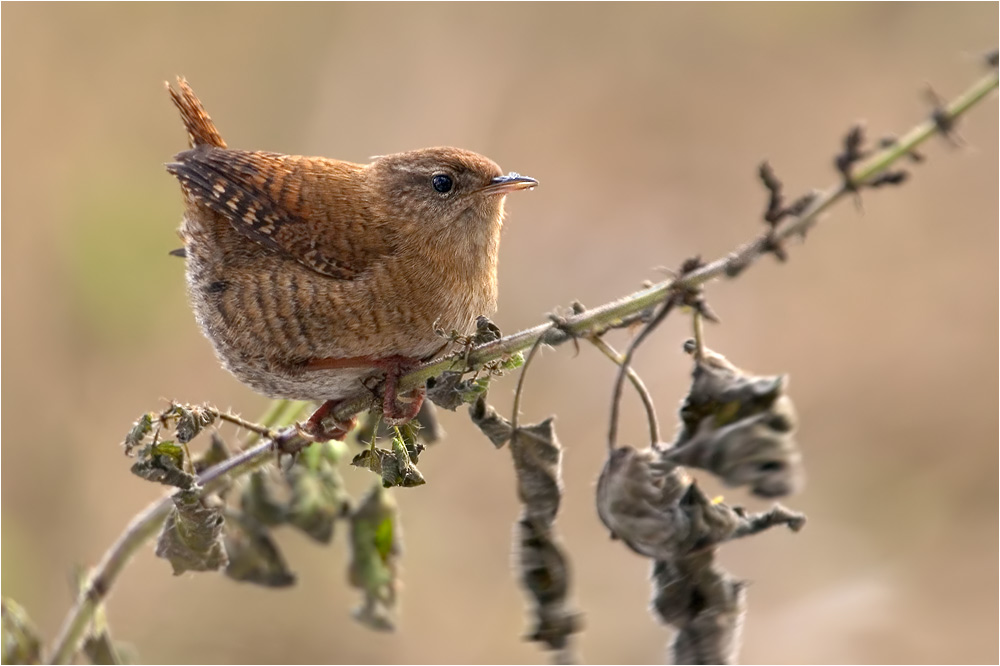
x=282, y=202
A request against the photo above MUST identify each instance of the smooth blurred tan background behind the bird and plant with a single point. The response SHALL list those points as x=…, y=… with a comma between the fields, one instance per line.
x=645, y=126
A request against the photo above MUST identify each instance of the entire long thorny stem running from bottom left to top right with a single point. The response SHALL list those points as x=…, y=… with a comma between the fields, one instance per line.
x=592, y=322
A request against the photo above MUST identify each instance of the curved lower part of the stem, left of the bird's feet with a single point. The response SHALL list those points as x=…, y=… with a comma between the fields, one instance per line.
x=145, y=525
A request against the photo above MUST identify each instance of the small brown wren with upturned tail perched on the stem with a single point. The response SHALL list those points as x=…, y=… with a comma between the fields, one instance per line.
x=311, y=275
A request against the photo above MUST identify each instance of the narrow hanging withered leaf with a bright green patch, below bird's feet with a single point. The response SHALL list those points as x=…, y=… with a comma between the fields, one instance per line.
x=376, y=546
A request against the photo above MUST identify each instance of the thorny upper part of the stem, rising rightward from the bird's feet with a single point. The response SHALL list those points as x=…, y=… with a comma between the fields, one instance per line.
x=625, y=310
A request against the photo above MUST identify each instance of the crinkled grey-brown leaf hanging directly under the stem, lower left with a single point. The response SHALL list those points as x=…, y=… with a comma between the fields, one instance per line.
x=191, y=538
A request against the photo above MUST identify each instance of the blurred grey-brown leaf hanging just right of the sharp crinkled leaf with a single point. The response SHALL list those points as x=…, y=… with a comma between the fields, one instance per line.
x=253, y=555
